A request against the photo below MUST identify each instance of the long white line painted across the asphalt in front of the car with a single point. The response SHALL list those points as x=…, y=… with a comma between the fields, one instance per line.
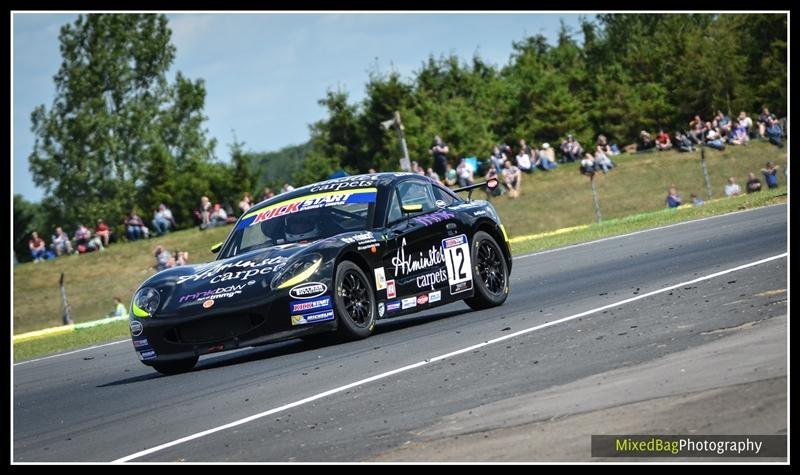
x=434, y=360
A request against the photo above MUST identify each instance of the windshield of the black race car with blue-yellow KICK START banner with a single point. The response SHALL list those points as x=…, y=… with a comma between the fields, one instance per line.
x=302, y=219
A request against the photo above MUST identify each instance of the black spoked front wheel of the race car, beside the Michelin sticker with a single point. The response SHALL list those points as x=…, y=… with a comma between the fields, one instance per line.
x=355, y=302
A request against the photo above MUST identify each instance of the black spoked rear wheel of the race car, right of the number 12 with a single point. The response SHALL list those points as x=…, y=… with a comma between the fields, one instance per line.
x=489, y=273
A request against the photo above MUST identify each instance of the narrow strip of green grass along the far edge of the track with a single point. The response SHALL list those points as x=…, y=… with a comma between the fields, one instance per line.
x=523, y=244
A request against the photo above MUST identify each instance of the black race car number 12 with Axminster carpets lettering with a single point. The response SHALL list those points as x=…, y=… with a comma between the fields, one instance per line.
x=335, y=256
